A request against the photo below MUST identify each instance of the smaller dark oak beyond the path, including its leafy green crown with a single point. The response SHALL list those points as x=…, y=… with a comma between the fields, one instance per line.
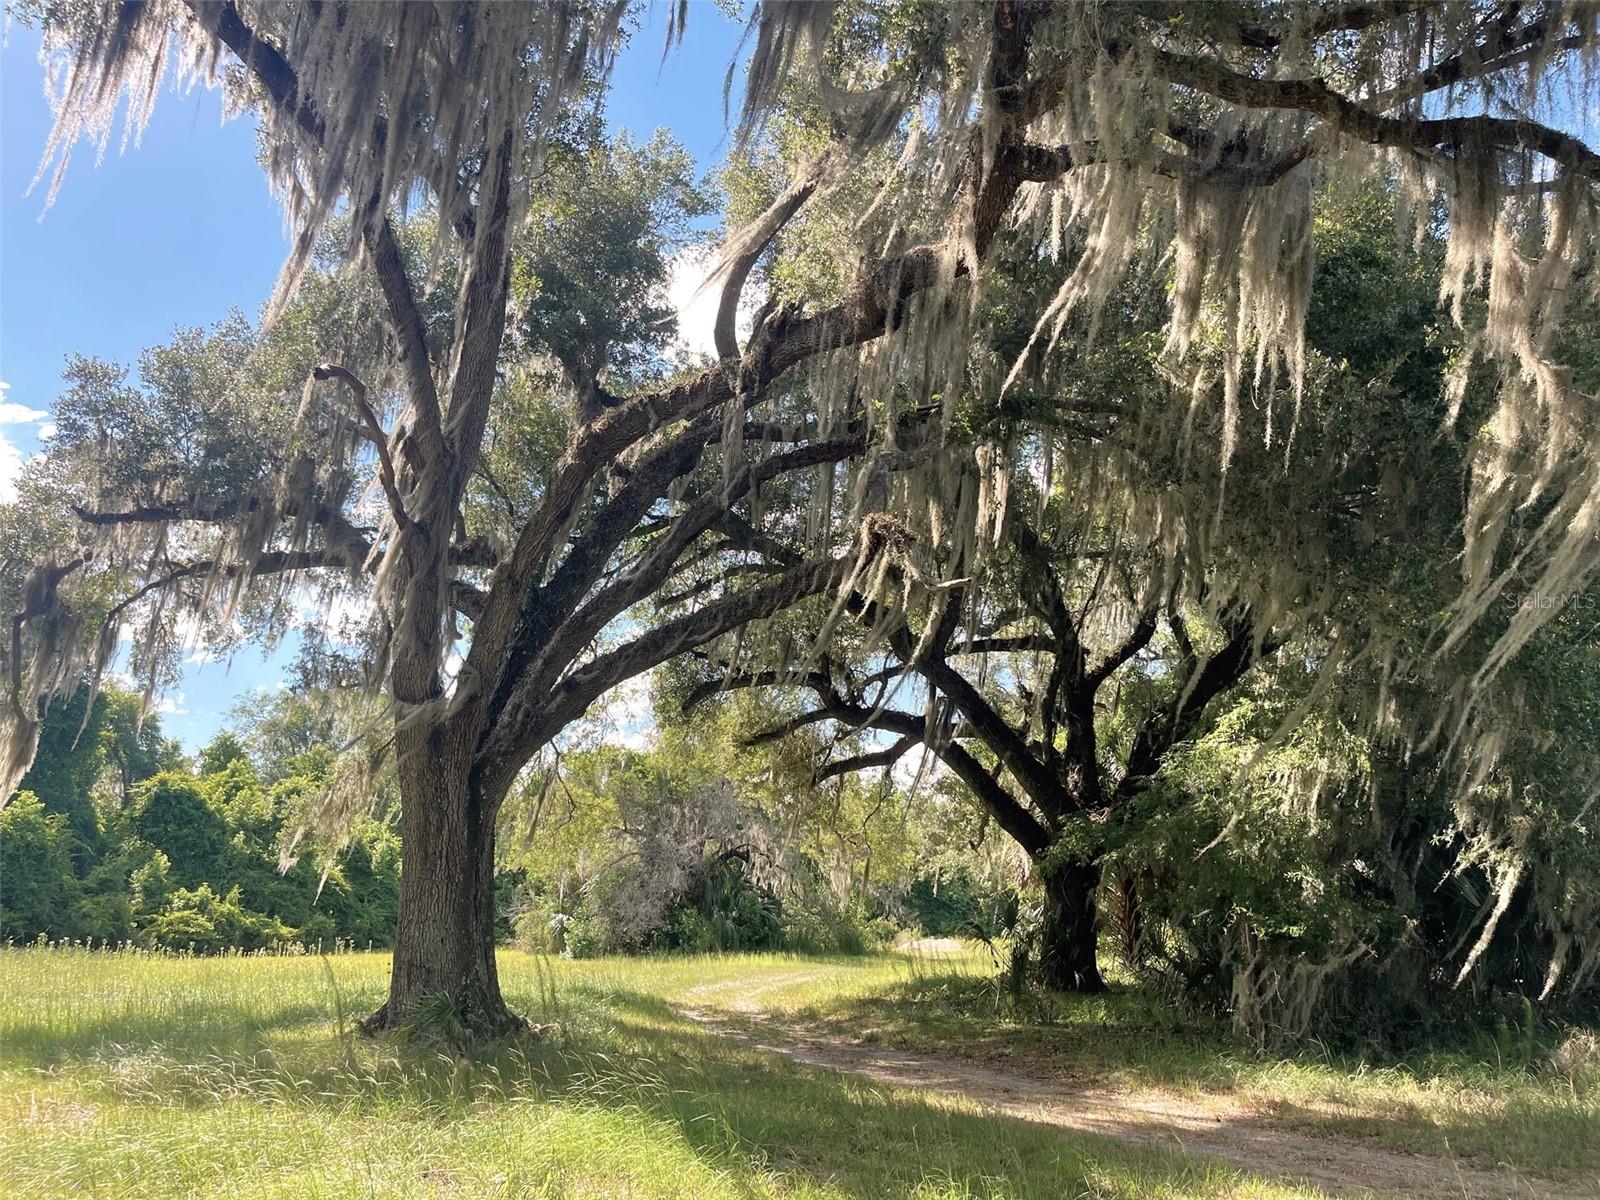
x=1126, y=602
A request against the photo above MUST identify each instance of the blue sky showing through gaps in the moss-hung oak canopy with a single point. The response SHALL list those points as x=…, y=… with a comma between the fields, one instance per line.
x=182, y=230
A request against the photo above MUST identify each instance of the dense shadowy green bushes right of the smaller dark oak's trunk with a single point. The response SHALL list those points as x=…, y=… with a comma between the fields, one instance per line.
x=1319, y=884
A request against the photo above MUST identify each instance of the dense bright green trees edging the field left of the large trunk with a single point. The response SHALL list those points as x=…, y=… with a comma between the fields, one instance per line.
x=118, y=836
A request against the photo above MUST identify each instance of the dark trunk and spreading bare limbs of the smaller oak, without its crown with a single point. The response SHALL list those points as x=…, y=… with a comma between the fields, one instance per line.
x=1031, y=753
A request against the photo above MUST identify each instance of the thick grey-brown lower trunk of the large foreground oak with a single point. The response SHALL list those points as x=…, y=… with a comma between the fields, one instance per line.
x=444, y=959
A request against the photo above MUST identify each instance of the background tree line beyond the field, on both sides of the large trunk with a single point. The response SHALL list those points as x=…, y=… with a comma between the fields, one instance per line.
x=118, y=836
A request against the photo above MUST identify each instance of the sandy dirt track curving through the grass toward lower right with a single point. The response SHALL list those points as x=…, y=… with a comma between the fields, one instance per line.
x=1214, y=1127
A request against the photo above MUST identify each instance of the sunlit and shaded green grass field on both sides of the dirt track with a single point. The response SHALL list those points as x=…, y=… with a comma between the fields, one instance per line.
x=138, y=1076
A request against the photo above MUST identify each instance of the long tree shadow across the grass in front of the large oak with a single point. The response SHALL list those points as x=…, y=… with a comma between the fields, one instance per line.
x=759, y=1122
